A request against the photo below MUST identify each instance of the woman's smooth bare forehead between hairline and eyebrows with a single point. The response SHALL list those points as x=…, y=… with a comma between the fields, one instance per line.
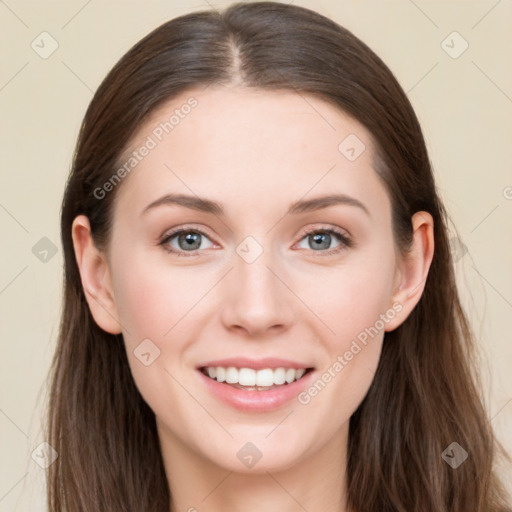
x=249, y=145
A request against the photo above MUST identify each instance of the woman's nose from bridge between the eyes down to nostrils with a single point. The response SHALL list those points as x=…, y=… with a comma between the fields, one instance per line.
x=256, y=300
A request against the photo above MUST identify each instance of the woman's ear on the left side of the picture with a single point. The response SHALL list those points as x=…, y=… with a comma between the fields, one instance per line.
x=95, y=277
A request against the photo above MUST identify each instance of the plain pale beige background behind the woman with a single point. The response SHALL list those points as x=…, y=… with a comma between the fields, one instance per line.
x=464, y=105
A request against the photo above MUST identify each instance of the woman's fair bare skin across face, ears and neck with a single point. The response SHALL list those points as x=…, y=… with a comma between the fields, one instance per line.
x=255, y=152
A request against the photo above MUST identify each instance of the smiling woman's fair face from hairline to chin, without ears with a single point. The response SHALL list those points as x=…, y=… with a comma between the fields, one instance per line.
x=267, y=277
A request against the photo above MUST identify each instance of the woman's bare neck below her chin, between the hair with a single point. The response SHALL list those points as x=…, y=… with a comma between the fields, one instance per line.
x=314, y=482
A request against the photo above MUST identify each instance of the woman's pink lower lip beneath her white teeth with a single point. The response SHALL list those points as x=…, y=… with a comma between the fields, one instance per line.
x=257, y=401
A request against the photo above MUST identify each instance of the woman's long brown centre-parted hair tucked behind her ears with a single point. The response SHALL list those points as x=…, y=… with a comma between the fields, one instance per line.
x=425, y=394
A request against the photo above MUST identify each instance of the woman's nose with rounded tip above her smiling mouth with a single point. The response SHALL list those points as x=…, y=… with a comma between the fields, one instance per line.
x=256, y=297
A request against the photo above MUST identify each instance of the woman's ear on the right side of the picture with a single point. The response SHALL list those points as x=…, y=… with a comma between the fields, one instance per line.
x=412, y=268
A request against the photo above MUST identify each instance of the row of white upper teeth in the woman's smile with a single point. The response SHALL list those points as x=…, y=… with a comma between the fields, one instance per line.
x=250, y=377
